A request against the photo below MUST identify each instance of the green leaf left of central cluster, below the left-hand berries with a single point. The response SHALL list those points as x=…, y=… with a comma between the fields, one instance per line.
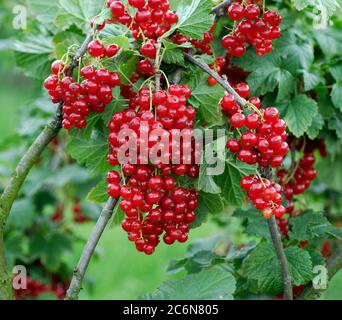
x=90, y=152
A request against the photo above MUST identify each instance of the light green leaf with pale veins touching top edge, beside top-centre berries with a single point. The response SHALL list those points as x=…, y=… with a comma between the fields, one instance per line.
x=194, y=17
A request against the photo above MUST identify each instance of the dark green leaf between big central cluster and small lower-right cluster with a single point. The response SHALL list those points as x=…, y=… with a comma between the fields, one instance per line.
x=229, y=181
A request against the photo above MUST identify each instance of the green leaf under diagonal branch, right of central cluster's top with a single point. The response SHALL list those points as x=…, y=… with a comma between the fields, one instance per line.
x=206, y=98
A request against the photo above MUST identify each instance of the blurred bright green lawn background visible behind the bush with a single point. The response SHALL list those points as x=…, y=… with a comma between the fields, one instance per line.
x=118, y=271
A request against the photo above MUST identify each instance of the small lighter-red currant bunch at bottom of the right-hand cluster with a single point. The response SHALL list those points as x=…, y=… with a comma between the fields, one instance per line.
x=265, y=195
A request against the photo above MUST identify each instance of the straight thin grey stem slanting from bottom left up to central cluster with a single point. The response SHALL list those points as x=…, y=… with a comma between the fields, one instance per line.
x=89, y=249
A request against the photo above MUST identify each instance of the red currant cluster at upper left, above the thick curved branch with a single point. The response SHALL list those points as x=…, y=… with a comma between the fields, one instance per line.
x=92, y=94
